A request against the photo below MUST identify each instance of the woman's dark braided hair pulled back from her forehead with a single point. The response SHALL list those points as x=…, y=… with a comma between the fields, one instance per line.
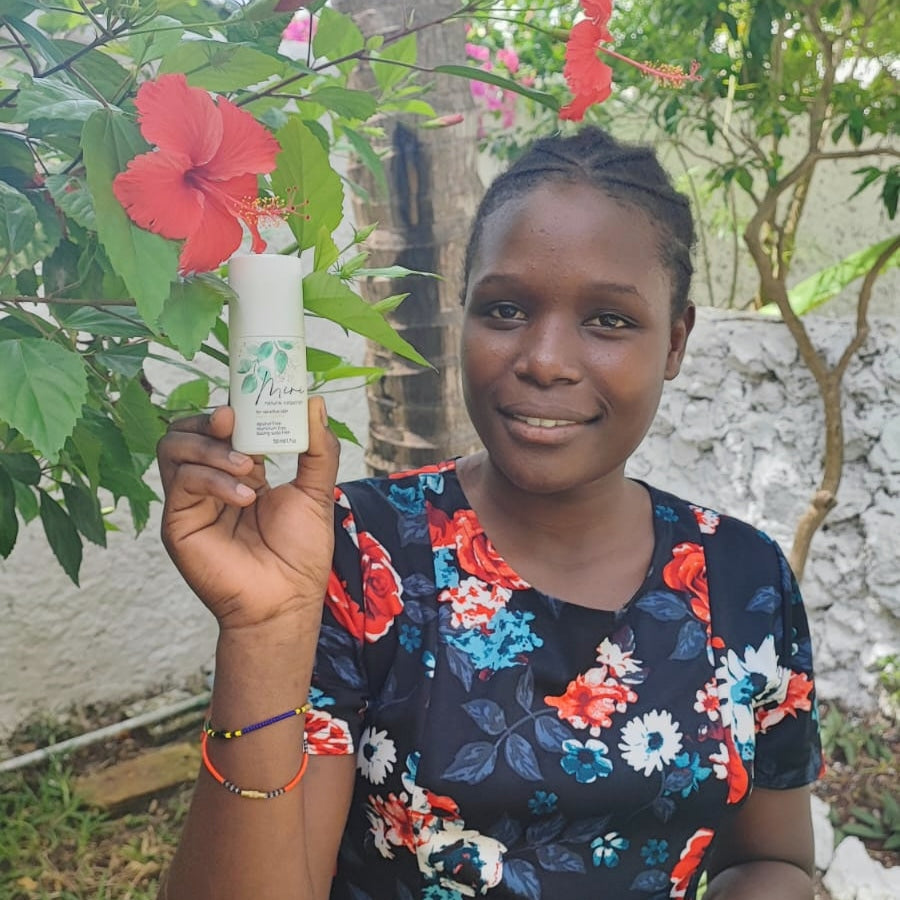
x=629, y=174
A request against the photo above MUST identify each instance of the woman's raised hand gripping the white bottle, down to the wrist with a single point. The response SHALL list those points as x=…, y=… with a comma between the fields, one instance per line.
x=252, y=553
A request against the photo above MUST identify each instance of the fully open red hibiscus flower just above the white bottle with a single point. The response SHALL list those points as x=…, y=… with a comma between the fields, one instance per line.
x=200, y=182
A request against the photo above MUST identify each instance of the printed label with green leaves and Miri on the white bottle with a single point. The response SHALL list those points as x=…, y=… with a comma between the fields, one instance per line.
x=271, y=375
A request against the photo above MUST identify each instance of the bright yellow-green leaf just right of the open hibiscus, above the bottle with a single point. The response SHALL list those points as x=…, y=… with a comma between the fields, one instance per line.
x=305, y=178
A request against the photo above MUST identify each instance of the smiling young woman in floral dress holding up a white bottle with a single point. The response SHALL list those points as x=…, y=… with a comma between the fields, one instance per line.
x=530, y=676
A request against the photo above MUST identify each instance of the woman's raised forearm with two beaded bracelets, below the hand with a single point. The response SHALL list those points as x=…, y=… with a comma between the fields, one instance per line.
x=251, y=848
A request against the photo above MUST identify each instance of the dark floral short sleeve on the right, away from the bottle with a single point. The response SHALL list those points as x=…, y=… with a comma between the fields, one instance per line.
x=788, y=744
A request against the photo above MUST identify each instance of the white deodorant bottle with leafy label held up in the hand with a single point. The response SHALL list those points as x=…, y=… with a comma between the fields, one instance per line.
x=267, y=354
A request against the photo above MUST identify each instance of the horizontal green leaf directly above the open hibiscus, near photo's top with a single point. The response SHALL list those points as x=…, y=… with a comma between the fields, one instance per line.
x=221, y=66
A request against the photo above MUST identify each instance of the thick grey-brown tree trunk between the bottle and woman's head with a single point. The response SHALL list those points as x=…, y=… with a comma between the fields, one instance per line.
x=417, y=416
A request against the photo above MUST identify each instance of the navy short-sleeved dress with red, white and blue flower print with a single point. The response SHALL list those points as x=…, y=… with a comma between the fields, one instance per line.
x=511, y=744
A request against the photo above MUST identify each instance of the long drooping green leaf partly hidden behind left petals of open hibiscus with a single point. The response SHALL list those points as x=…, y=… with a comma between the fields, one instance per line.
x=146, y=262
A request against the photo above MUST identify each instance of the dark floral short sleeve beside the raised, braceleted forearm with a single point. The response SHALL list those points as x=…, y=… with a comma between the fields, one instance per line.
x=339, y=690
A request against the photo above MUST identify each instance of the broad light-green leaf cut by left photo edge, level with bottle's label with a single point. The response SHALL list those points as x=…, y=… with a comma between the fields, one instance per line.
x=44, y=387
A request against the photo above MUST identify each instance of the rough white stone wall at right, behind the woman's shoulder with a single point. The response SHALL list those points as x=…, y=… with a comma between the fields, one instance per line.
x=741, y=430
